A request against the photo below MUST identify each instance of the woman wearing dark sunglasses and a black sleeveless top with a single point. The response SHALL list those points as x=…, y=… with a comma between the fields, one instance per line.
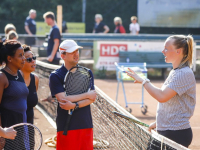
x=31, y=80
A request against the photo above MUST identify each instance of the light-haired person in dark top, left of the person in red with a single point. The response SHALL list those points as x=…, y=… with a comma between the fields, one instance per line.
x=99, y=26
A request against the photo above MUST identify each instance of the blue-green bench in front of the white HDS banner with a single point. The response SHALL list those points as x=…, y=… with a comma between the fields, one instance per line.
x=152, y=59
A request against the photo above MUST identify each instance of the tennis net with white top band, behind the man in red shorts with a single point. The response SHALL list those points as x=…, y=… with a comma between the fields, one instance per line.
x=110, y=131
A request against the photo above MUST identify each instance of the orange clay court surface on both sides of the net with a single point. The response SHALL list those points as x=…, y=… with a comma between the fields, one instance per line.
x=133, y=93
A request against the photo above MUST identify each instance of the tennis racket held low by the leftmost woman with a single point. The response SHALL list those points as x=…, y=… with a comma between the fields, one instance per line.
x=28, y=137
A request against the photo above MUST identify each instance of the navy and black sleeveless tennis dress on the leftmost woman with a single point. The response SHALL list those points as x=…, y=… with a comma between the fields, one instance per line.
x=14, y=101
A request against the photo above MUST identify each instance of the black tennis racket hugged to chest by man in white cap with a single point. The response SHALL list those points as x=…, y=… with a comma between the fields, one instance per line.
x=78, y=80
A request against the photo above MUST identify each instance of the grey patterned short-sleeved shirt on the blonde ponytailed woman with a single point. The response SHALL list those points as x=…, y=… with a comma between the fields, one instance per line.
x=176, y=112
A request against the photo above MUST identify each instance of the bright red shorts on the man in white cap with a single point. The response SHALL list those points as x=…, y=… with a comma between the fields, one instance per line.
x=81, y=139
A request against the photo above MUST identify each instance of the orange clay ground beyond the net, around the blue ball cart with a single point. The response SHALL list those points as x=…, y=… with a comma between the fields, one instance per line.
x=134, y=93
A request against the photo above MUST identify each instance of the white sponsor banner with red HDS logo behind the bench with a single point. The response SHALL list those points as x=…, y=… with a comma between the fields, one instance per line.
x=107, y=52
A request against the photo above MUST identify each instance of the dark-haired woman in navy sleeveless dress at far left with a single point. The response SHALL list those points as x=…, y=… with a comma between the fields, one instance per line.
x=13, y=90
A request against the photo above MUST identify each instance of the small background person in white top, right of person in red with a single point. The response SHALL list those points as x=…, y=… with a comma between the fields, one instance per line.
x=134, y=27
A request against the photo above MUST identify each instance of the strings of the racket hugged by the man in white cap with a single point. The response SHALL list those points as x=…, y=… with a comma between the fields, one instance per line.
x=77, y=83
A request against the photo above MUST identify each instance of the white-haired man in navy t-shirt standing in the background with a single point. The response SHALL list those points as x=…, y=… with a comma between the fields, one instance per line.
x=30, y=27
